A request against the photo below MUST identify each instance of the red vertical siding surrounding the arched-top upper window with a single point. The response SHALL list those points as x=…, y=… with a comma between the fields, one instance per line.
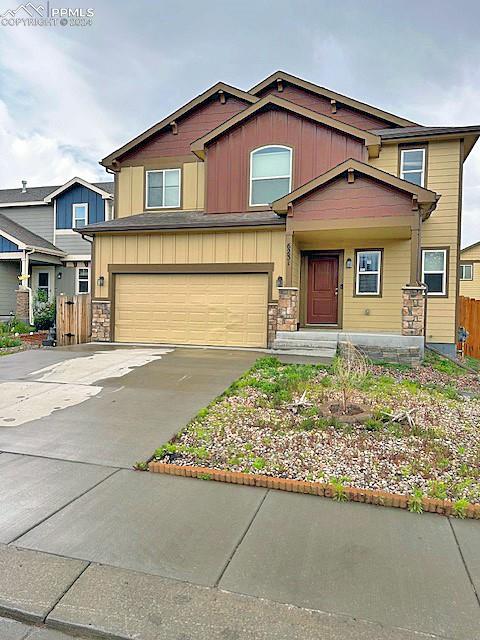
x=316, y=149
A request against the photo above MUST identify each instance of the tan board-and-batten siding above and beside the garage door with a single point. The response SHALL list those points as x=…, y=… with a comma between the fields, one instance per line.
x=189, y=248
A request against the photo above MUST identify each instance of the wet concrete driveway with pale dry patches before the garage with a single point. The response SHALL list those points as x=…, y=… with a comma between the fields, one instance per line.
x=91, y=416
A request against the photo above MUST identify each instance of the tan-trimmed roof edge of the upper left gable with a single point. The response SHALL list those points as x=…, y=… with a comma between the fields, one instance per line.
x=203, y=97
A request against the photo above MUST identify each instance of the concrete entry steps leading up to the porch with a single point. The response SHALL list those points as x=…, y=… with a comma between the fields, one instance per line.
x=321, y=344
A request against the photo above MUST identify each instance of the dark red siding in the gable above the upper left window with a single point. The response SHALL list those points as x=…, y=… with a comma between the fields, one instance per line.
x=192, y=126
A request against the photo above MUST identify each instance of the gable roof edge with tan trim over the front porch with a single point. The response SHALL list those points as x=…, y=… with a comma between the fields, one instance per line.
x=426, y=199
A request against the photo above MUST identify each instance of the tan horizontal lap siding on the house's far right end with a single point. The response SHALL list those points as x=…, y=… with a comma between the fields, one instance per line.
x=441, y=229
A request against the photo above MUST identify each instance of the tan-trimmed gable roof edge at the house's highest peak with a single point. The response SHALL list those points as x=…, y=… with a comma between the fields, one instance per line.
x=332, y=95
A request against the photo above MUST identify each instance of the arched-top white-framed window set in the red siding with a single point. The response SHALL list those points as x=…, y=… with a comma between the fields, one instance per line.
x=270, y=174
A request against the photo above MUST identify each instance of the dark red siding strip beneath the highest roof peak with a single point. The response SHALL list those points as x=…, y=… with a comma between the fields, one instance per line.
x=322, y=105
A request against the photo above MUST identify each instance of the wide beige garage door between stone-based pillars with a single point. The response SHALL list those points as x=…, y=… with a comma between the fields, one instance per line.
x=204, y=309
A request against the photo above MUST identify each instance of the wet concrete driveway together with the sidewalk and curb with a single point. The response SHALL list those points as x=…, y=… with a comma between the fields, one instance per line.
x=88, y=545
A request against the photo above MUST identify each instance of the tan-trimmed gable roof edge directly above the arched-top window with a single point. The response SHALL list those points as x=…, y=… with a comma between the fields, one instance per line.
x=372, y=141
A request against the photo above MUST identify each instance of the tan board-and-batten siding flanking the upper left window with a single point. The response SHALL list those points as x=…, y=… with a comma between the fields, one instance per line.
x=131, y=188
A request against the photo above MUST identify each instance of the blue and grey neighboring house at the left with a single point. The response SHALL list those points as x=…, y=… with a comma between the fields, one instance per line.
x=39, y=251
